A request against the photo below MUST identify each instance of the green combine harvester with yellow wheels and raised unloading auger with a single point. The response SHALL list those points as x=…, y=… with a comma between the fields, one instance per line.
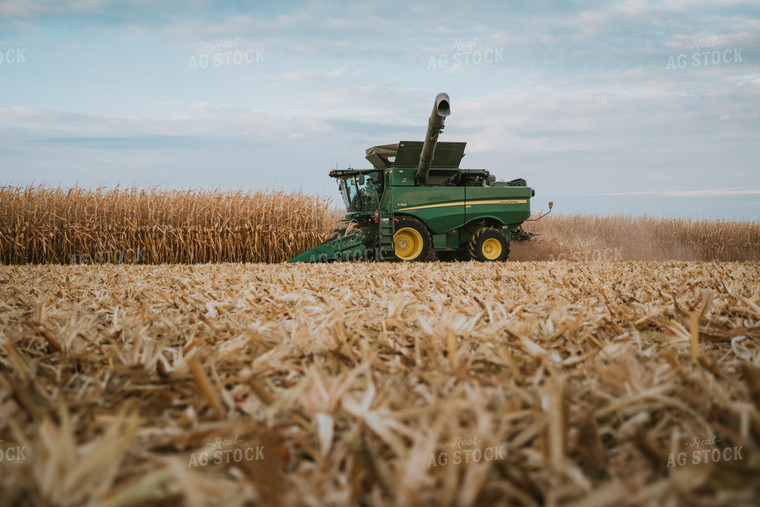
x=416, y=204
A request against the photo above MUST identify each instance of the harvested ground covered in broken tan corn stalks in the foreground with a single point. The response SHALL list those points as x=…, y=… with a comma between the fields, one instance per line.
x=359, y=383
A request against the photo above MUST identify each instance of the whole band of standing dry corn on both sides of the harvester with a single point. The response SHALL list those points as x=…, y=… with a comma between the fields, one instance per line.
x=78, y=226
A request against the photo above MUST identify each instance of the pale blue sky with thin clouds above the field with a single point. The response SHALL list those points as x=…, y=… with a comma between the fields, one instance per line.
x=604, y=107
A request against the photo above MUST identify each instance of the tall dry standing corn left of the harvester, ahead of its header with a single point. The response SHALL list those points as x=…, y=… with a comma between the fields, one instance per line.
x=79, y=226
